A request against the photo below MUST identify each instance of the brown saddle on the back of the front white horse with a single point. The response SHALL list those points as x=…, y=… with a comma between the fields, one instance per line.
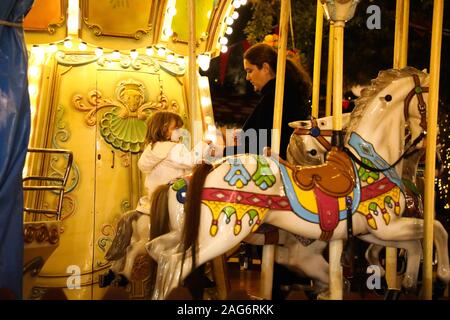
x=335, y=177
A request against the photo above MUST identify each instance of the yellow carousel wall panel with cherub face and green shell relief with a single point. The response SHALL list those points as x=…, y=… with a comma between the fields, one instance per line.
x=97, y=110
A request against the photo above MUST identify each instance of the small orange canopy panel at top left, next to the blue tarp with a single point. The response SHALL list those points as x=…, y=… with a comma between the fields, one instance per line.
x=46, y=22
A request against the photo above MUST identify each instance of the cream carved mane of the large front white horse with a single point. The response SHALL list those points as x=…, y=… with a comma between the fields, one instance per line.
x=384, y=78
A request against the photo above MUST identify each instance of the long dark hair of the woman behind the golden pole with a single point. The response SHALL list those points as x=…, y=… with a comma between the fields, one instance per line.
x=295, y=73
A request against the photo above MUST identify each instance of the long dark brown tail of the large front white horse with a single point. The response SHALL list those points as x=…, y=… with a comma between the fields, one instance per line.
x=192, y=209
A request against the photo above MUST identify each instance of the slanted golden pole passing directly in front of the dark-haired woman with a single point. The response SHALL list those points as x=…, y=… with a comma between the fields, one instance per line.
x=269, y=250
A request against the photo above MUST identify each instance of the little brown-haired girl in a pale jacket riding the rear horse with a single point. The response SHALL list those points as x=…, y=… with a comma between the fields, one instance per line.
x=165, y=157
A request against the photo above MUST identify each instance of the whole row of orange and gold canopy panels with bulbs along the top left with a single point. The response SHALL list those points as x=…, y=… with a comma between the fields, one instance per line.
x=132, y=24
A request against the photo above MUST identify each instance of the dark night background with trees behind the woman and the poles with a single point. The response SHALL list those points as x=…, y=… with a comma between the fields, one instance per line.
x=366, y=52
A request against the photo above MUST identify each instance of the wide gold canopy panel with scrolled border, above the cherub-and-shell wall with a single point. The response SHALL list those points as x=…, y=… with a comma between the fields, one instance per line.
x=120, y=24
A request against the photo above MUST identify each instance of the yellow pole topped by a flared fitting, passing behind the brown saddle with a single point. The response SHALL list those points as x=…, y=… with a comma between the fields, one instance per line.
x=339, y=12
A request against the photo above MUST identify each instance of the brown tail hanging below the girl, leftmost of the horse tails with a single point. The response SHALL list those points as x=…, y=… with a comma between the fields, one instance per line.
x=123, y=236
